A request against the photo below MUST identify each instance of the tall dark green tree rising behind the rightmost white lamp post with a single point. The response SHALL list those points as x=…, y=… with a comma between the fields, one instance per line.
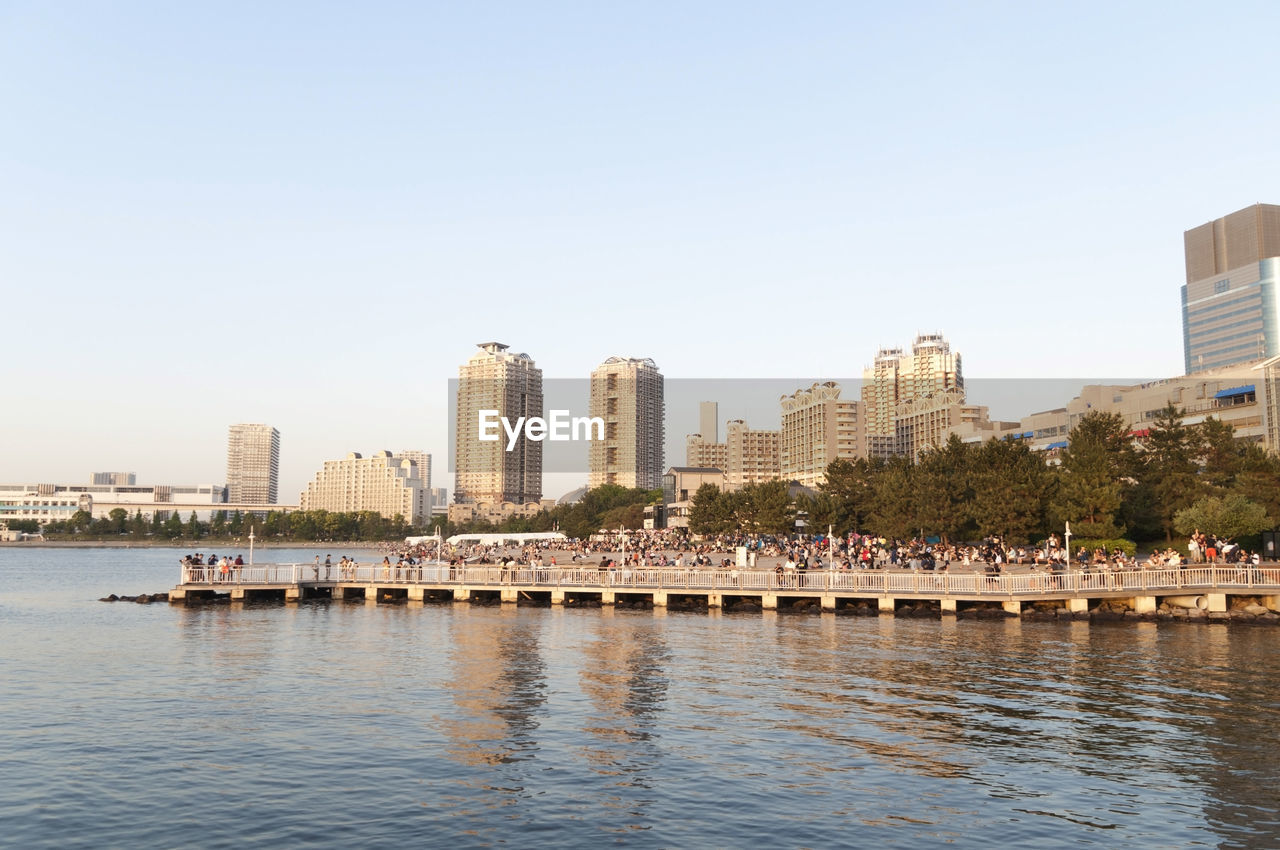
x=1092, y=478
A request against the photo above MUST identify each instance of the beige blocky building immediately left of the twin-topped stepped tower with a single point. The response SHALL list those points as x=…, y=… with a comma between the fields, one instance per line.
x=819, y=428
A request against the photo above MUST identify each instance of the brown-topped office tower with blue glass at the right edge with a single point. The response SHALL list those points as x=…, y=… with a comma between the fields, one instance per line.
x=1231, y=309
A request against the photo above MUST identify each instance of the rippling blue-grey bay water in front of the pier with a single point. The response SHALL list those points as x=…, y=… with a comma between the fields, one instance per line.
x=342, y=725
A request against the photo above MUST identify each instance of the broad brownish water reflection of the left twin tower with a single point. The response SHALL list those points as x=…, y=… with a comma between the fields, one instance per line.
x=499, y=687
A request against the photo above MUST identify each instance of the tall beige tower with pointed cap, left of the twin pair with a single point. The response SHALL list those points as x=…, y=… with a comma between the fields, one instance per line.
x=511, y=386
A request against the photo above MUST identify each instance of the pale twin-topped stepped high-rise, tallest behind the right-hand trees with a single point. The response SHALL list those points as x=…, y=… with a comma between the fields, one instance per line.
x=895, y=378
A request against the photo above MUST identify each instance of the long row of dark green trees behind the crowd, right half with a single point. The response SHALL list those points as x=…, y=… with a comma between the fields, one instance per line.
x=1108, y=485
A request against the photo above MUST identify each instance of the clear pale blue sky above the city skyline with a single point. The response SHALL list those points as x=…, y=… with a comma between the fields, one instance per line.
x=309, y=214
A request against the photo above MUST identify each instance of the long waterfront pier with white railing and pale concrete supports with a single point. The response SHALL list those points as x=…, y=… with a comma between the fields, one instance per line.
x=1212, y=589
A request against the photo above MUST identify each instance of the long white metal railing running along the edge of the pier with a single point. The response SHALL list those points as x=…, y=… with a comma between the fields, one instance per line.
x=1264, y=579
